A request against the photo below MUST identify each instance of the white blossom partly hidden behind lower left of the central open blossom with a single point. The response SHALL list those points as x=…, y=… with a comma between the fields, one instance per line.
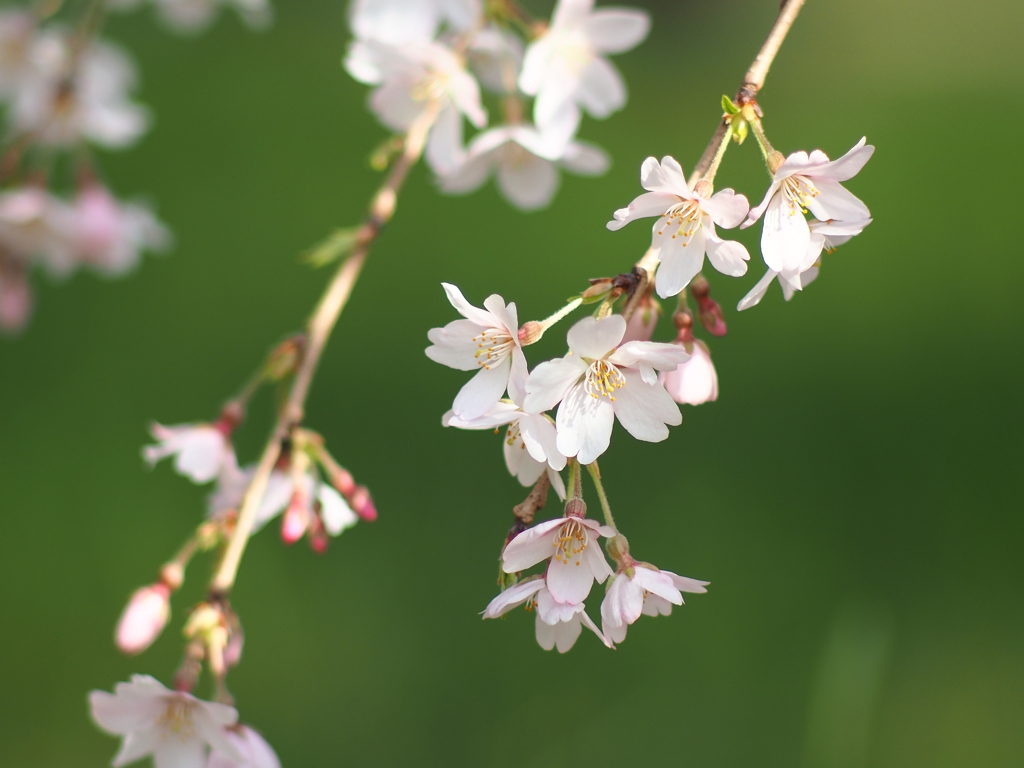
x=530, y=445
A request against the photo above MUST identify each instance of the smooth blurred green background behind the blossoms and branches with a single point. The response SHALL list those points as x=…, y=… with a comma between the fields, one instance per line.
x=855, y=496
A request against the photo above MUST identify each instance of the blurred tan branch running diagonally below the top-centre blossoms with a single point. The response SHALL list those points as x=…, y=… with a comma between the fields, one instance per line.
x=319, y=329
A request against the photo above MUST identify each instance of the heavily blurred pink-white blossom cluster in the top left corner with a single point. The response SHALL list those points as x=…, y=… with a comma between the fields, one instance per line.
x=63, y=90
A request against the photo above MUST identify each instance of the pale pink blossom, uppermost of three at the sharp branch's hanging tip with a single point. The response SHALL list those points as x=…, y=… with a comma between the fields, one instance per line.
x=570, y=545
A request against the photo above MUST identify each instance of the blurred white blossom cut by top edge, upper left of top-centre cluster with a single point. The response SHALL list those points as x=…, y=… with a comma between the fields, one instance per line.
x=402, y=22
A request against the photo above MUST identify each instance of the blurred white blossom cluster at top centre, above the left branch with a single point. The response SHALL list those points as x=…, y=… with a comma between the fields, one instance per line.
x=443, y=54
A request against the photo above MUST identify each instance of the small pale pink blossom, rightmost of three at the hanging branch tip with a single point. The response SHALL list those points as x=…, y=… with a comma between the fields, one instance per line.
x=646, y=590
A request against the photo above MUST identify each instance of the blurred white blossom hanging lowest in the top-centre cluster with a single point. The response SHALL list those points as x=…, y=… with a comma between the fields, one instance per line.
x=526, y=163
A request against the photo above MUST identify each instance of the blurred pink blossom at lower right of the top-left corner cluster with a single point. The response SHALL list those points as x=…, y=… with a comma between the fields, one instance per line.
x=110, y=236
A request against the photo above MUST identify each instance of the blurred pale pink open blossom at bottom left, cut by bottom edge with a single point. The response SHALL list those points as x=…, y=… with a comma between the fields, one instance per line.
x=175, y=728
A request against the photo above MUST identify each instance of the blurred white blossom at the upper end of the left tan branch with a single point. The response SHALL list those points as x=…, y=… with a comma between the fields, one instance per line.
x=407, y=79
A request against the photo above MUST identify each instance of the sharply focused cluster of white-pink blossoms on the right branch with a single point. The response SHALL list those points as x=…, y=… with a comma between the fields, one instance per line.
x=613, y=371
